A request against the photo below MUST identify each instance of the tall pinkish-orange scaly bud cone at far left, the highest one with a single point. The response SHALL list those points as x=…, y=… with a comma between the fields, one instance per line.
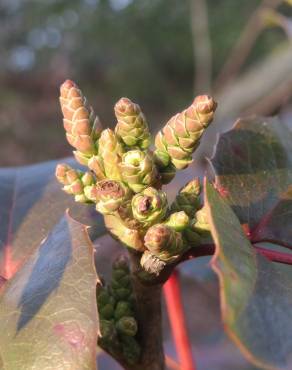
x=81, y=124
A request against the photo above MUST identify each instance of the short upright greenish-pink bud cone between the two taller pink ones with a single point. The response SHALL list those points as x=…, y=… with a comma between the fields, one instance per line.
x=132, y=127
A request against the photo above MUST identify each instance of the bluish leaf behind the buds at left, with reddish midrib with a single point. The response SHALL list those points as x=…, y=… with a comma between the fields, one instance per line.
x=32, y=203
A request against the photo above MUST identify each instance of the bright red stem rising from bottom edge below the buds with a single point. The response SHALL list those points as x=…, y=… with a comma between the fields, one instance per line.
x=177, y=321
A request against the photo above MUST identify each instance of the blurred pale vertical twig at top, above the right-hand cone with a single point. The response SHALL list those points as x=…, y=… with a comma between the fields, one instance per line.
x=201, y=45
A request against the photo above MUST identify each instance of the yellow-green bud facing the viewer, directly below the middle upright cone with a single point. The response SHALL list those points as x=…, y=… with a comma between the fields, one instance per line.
x=138, y=170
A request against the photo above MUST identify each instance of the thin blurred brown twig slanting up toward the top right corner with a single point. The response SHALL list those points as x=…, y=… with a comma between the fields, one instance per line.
x=243, y=46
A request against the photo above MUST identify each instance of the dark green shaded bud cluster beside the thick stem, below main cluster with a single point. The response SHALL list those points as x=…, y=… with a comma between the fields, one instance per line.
x=116, y=308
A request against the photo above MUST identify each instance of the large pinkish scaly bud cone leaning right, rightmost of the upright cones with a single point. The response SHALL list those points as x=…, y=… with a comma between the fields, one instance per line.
x=181, y=135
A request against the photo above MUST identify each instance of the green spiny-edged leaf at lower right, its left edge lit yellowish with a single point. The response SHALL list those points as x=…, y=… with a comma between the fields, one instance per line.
x=256, y=296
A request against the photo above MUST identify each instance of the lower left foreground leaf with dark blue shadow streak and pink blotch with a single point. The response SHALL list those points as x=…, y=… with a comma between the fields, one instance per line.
x=48, y=311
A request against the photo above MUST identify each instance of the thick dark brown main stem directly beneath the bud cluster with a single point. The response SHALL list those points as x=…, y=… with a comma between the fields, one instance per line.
x=148, y=301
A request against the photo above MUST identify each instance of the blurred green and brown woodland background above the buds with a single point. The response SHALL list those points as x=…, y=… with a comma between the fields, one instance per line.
x=160, y=53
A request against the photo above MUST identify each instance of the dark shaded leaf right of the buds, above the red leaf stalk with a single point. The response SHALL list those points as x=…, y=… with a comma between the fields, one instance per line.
x=253, y=167
